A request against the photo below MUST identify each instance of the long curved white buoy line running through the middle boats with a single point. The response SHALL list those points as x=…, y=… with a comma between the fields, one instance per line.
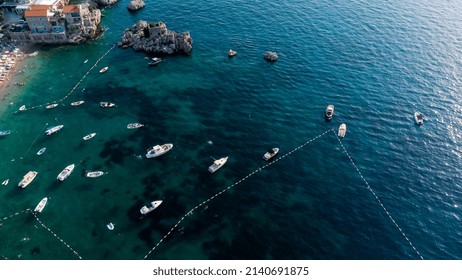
x=229, y=187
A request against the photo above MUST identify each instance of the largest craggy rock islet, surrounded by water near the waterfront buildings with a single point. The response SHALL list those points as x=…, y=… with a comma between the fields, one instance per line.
x=155, y=38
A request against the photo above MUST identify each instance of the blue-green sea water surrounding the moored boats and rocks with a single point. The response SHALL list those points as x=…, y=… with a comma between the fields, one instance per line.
x=376, y=62
